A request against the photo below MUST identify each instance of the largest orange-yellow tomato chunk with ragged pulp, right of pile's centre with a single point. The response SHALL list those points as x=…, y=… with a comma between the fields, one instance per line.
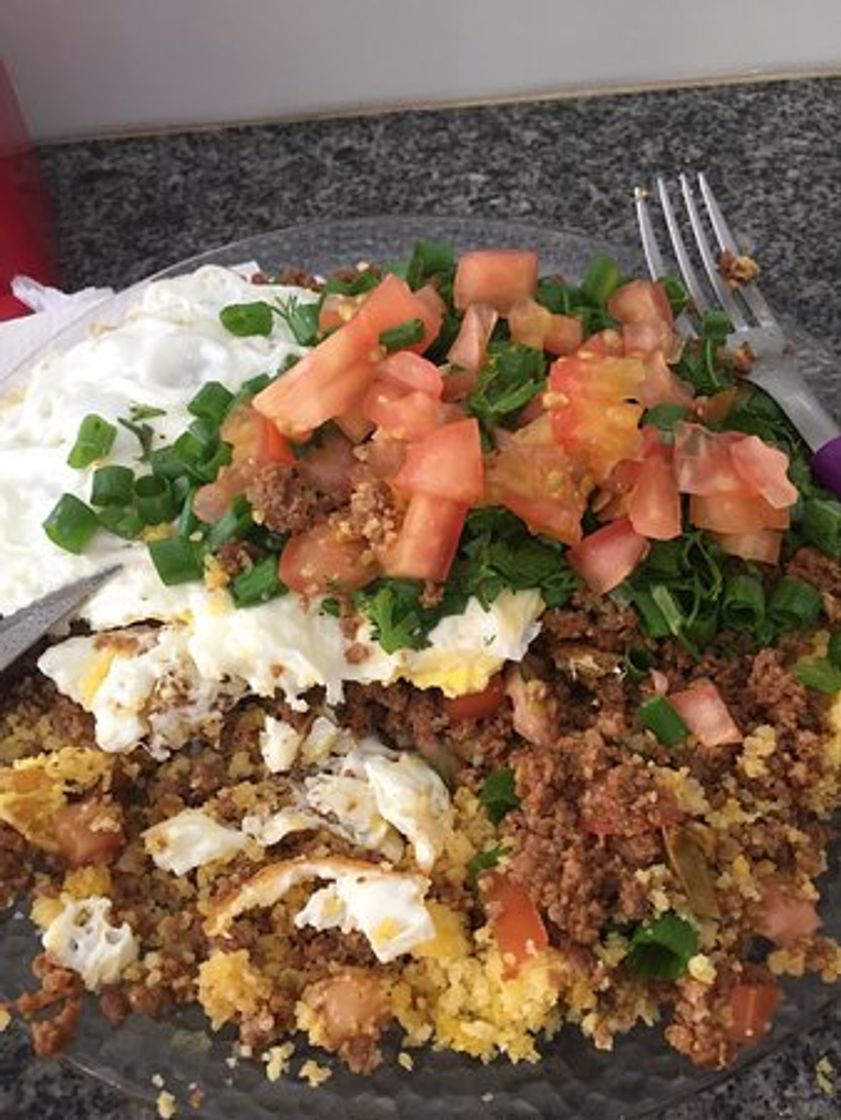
x=593, y=410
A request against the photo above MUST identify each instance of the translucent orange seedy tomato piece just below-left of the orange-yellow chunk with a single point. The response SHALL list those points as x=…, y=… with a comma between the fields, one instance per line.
x=539, y=484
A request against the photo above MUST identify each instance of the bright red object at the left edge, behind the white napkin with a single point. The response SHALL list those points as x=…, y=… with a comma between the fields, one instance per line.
x=25, y=236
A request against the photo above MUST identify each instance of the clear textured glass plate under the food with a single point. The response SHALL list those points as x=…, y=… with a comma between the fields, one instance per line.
x=574, y=1080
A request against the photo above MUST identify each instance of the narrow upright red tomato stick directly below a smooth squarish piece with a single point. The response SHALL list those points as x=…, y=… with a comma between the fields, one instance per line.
x=428, y=539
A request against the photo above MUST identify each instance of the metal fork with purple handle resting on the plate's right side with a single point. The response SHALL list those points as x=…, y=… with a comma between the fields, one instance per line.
x=775, y=369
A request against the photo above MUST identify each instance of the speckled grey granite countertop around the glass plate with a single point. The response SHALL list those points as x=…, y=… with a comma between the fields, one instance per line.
x=127, y=208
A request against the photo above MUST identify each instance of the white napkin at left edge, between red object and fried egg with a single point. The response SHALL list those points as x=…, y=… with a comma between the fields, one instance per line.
x=54, y=310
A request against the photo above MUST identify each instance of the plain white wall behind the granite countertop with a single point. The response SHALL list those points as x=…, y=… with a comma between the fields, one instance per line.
x=88, y=67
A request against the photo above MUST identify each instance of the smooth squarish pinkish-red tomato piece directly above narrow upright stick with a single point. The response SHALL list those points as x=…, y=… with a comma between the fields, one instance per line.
x=447, y=463
